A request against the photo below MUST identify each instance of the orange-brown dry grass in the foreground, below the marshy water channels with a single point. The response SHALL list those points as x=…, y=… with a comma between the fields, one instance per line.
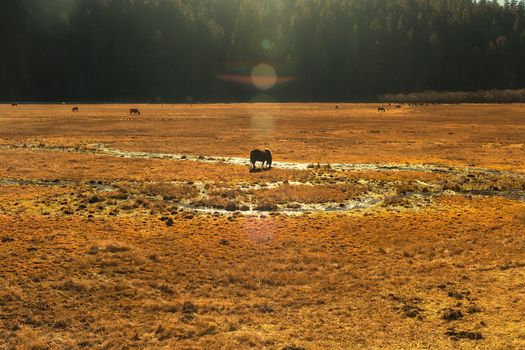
x=279, y=282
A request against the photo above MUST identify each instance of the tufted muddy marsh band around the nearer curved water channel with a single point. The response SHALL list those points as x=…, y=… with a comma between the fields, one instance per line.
x=181, y=198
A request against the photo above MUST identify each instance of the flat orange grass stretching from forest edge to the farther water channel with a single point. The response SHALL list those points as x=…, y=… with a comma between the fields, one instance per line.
x=484, y=135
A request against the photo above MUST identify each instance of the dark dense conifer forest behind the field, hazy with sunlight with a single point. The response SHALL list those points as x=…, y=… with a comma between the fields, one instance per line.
x=176, y=50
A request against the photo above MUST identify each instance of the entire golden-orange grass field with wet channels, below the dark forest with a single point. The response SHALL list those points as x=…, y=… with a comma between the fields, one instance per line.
x=396, y=230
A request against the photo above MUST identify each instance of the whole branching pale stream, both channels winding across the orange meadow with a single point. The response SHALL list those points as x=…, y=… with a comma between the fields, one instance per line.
x=245, y=202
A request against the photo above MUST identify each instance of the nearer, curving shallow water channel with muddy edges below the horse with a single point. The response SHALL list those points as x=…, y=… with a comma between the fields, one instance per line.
x=379, y=195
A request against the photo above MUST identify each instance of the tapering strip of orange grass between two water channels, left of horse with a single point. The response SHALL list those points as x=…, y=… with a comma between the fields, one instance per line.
x=31, y=164
